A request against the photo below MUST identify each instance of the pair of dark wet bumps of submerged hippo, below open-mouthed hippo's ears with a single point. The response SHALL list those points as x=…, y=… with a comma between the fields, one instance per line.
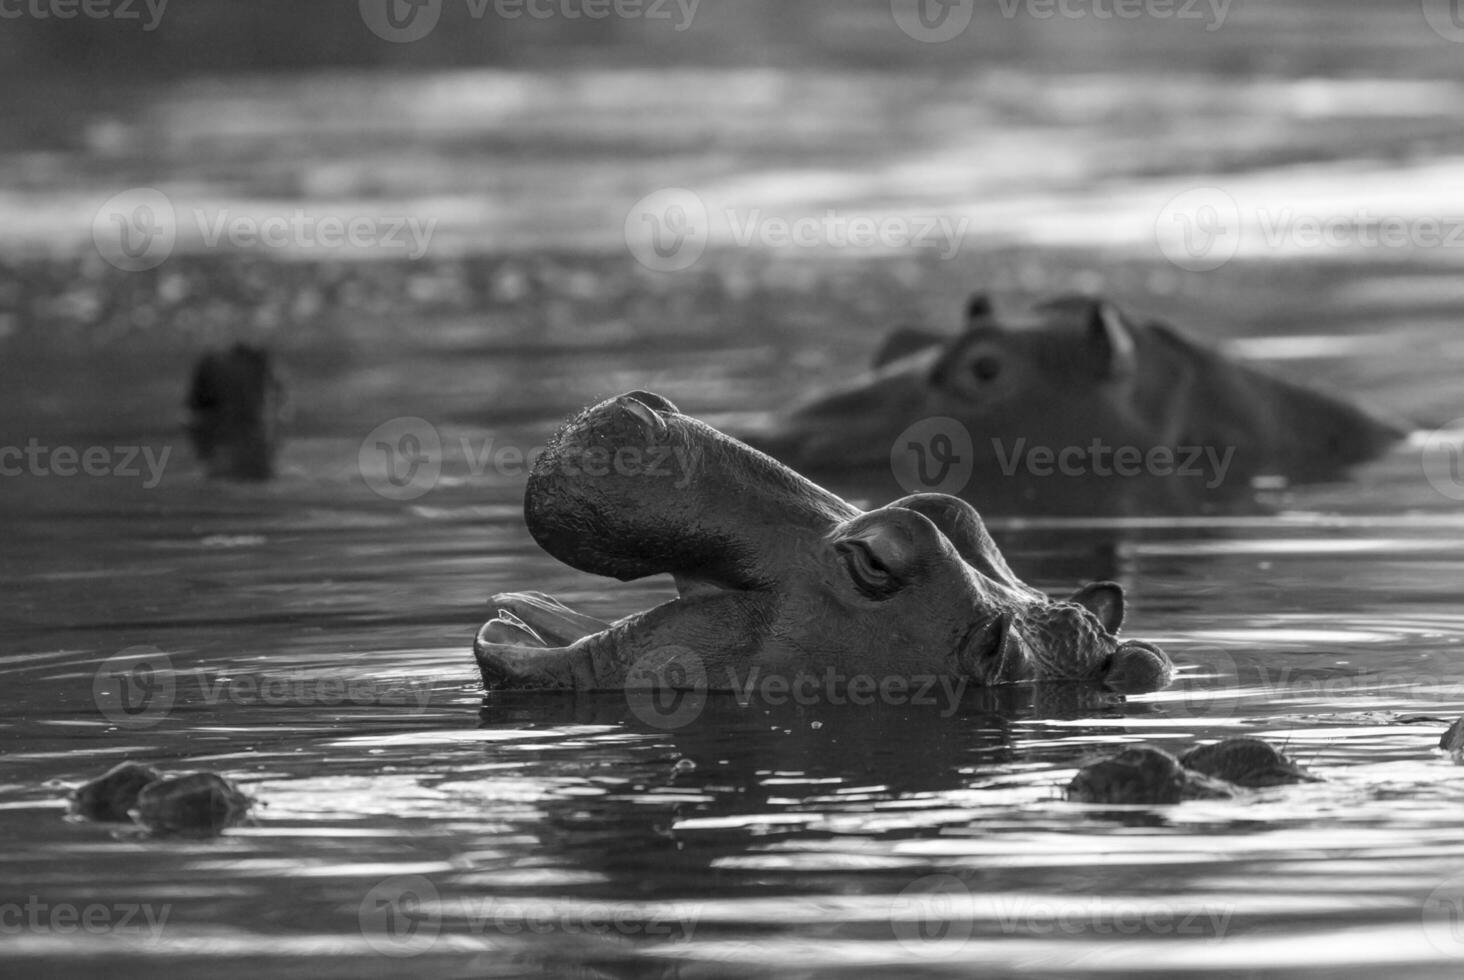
x=1220, y=771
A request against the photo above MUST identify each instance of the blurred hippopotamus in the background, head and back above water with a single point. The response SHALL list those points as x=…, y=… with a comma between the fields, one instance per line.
x=1074, y=408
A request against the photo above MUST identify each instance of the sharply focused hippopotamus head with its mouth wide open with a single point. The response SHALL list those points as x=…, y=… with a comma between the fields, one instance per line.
x=778, y=576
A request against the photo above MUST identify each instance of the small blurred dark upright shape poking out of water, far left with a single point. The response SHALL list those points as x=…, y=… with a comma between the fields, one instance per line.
x=235, y=407
